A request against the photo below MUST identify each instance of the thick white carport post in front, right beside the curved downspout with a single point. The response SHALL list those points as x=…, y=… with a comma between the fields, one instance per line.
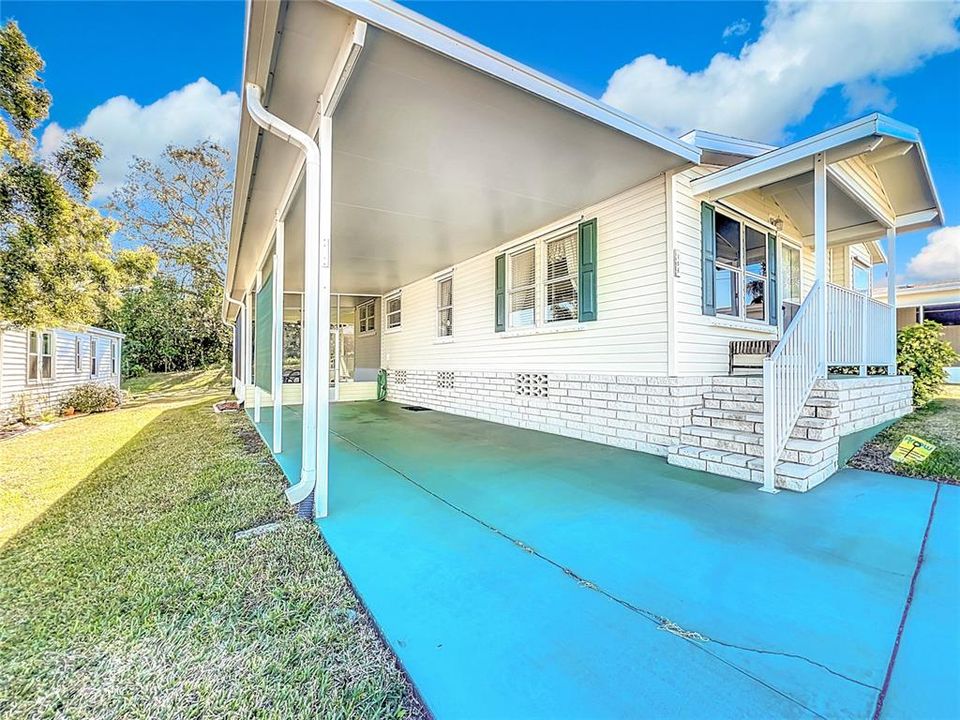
x=322, y=440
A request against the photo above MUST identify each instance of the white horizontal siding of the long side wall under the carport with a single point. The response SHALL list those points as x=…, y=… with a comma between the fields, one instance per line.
x=629, y=335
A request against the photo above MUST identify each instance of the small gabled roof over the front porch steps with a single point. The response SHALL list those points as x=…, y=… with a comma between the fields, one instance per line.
x=878, y=177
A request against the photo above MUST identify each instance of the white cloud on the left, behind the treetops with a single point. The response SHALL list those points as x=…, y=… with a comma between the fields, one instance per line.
x=197, y=111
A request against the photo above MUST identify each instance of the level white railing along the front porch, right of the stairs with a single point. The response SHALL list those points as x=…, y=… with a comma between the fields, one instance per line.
x=859, y=329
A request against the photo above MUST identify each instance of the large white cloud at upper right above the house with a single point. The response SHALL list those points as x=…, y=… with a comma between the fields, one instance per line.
x=802, y=51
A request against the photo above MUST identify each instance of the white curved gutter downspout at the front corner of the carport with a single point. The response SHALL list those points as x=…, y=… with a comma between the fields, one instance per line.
x=310, y=377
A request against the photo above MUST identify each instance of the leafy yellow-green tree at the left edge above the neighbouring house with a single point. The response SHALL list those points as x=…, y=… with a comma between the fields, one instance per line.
x=56, y=260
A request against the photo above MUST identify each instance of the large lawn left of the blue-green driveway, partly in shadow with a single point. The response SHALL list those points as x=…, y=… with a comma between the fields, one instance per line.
x=124, y=594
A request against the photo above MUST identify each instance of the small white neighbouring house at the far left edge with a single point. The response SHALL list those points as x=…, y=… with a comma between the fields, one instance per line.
x=39, y=367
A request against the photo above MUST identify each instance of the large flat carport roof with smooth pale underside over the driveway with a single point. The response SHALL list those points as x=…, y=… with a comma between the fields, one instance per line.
x=442, y=148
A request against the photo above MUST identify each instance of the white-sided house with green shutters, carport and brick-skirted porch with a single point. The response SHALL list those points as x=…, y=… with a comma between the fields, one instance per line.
x=507, y=248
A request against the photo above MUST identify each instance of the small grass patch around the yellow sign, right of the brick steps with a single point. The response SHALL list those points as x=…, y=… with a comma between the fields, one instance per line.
x=939, y=423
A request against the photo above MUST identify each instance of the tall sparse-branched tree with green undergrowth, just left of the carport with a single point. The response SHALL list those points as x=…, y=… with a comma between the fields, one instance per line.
x=179, y=207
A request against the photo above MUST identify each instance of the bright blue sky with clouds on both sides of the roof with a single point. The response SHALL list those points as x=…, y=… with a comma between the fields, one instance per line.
x=582, y=44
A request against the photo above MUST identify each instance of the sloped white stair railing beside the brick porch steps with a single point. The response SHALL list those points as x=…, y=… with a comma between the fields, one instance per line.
x=788, y=376
